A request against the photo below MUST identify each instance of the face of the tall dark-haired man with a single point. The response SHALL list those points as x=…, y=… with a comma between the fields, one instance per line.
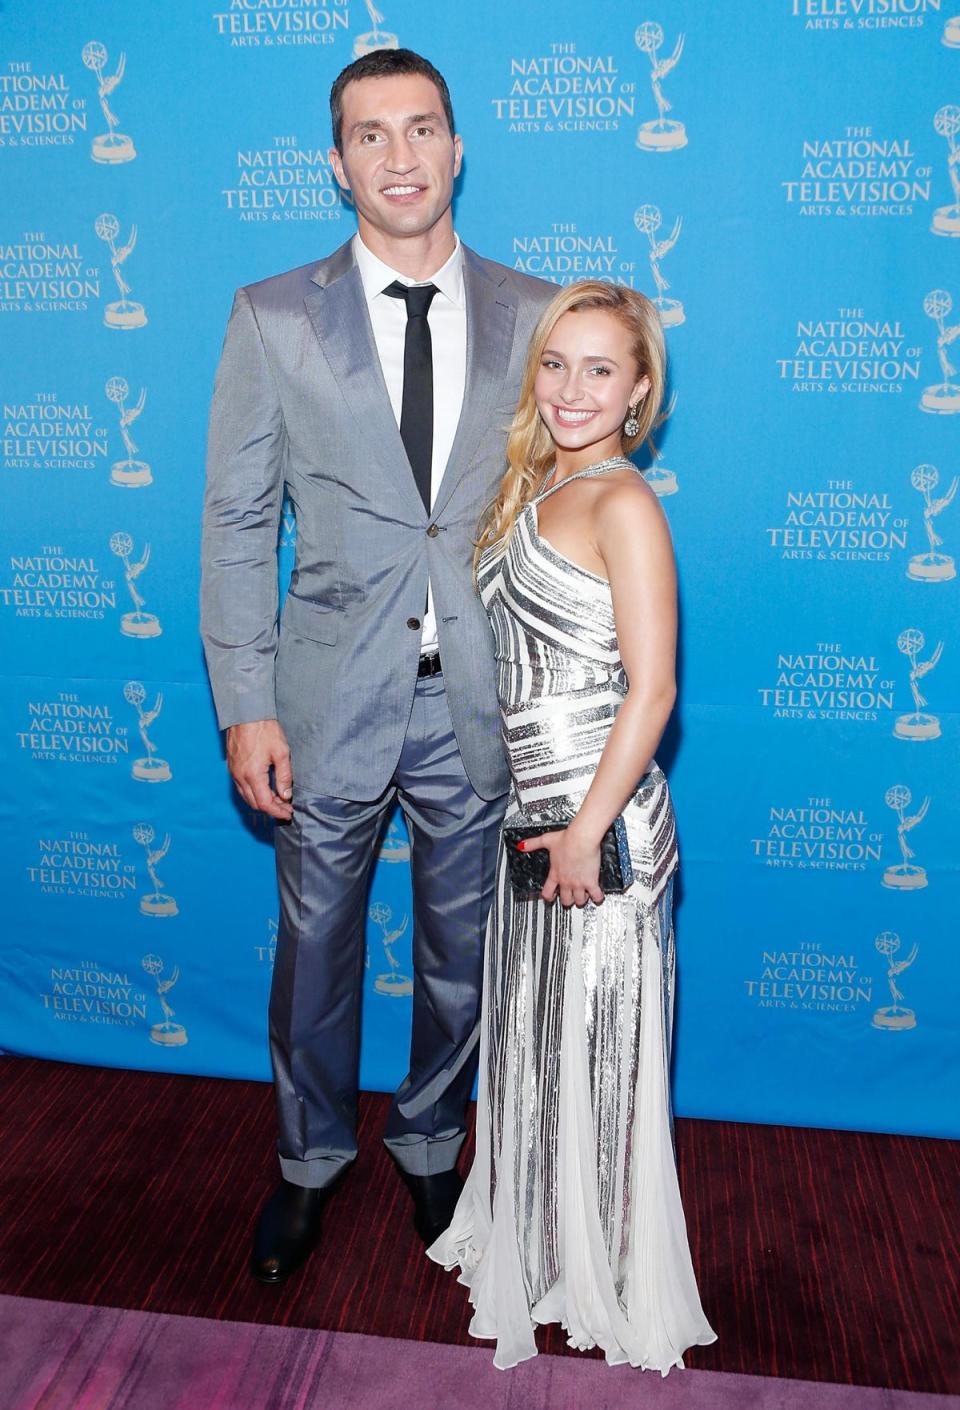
x=400, y=160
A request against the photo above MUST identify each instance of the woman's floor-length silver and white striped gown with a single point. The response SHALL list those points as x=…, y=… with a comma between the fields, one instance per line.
x=572, y=1212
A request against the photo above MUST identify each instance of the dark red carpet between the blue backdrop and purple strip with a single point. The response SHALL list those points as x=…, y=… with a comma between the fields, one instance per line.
x=821, y=1256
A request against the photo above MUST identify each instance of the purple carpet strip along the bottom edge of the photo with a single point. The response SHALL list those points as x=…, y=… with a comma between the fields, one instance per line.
x=71, y=1357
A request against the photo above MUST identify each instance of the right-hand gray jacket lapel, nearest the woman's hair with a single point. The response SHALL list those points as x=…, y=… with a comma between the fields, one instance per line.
x=491, y=318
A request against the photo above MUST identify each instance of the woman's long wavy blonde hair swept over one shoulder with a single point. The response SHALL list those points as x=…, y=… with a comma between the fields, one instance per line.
x=529, y=448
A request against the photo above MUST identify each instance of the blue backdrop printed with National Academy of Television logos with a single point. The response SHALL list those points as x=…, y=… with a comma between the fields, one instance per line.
x=784, y=178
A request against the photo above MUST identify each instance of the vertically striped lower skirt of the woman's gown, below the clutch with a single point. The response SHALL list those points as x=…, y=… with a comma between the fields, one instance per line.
x=572, y=1212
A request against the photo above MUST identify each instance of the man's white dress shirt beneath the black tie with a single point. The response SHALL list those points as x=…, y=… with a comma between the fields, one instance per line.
x=448, y=319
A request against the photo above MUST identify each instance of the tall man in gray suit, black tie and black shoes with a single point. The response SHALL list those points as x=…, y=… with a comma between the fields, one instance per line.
x=374, y=388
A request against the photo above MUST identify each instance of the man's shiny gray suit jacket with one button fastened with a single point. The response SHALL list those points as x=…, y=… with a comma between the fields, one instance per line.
x=301, y=407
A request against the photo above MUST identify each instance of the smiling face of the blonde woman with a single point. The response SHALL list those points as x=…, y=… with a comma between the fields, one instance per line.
x=587, y=381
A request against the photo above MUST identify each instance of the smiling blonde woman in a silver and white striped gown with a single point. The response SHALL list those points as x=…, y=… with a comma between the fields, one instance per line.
x=572, y=1212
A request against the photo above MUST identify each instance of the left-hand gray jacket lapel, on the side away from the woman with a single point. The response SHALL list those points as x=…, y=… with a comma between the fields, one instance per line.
x=338, y=311
